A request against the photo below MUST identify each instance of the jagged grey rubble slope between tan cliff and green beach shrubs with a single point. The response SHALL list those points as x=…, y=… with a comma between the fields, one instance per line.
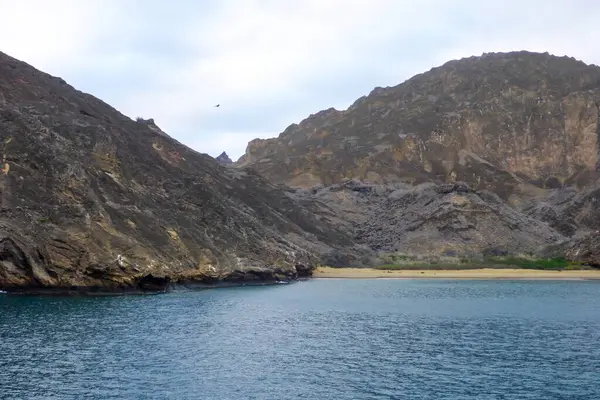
x=429, y=220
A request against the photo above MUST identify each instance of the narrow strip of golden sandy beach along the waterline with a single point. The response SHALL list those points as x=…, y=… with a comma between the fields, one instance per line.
x=483, y=273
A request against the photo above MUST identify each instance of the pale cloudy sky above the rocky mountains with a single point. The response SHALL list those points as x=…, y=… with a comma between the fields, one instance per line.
x=270, y=63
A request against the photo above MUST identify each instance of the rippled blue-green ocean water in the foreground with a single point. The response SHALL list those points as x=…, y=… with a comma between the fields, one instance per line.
x=317, y=339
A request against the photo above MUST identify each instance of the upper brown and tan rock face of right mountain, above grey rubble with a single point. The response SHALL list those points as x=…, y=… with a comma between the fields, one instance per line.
x=500, y=122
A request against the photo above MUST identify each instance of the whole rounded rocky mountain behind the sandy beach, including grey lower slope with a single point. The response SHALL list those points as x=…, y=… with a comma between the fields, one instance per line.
x=496, y=154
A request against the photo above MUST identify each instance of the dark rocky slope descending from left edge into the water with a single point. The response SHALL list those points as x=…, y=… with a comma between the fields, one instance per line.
x=92, y=199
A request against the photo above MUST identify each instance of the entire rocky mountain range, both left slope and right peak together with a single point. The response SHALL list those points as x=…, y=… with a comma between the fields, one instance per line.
x=491, y=155
